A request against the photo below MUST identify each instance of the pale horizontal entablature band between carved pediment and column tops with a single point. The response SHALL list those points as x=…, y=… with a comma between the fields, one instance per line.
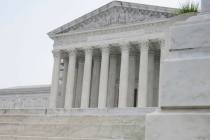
x=158, y=29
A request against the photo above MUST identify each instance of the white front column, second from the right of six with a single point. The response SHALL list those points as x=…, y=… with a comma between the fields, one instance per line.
x=124, y=70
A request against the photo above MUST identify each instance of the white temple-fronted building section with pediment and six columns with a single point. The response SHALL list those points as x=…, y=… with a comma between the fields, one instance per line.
x=110, y=57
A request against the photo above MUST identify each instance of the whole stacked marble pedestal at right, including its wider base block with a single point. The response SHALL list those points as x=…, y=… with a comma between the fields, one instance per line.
x=184, y=85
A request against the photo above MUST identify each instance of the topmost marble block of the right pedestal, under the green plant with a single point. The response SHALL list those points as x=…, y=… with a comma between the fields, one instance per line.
x=193, y=33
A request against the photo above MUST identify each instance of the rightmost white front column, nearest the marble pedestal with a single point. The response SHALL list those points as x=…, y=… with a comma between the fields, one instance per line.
x=143, y=75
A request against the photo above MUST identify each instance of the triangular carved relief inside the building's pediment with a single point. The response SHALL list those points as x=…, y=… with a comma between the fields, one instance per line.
x=117, y=16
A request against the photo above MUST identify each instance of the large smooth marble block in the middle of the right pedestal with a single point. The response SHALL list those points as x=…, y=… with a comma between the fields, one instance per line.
x=185, y=83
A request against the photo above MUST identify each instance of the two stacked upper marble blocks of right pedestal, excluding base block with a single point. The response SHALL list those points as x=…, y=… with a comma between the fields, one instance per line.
x=185, y=75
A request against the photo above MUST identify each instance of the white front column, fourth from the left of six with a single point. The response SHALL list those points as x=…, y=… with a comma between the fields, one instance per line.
x=103, y=78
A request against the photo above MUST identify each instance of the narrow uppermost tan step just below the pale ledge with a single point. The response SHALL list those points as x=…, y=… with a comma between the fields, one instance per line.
x=73, y=120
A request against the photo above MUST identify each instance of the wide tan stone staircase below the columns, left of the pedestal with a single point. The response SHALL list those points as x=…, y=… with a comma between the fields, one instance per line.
x=75, y=124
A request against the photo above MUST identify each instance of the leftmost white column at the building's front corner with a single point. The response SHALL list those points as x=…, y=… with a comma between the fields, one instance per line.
x=55, y=79
